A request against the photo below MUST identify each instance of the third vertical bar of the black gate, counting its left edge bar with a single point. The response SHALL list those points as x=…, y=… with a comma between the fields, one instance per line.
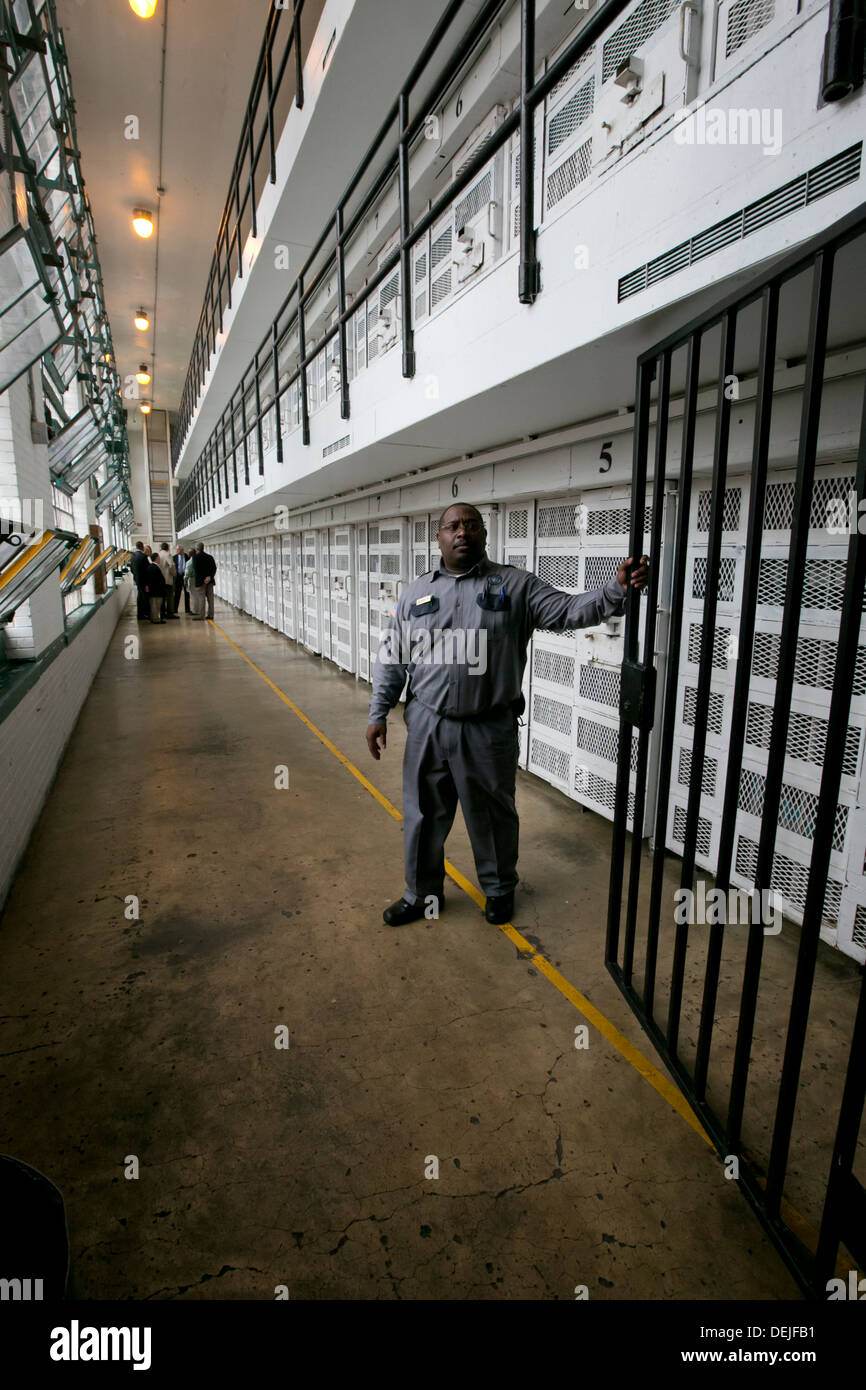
x=672, y=685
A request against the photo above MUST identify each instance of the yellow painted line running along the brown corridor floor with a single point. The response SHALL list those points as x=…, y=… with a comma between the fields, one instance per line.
x=618, y=1040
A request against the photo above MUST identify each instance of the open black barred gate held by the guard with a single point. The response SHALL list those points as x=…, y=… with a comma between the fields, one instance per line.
x=751, y=426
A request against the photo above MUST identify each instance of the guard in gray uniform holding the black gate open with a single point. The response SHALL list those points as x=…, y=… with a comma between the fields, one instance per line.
x=459, y=635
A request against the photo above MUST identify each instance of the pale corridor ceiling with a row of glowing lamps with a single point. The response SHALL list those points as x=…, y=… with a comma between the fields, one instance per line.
x=116, y=65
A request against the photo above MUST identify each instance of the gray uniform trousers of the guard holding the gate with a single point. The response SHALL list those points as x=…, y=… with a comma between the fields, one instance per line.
x=476, y=764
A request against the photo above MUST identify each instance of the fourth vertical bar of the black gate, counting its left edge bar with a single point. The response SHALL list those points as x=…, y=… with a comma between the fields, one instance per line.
x=705, y=669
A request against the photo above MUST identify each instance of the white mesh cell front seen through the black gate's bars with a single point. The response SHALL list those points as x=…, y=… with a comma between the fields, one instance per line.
x=824, y=594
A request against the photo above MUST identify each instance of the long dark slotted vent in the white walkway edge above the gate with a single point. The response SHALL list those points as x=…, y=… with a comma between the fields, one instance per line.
x=825, y=179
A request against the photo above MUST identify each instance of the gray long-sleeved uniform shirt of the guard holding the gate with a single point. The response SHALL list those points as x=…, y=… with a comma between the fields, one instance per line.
x=465, y=658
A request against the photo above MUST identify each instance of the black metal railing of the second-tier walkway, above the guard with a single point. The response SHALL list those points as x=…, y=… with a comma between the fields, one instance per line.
x=209, y=480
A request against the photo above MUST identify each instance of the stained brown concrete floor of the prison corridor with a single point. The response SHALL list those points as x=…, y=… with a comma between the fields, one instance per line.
x=262, y=907
